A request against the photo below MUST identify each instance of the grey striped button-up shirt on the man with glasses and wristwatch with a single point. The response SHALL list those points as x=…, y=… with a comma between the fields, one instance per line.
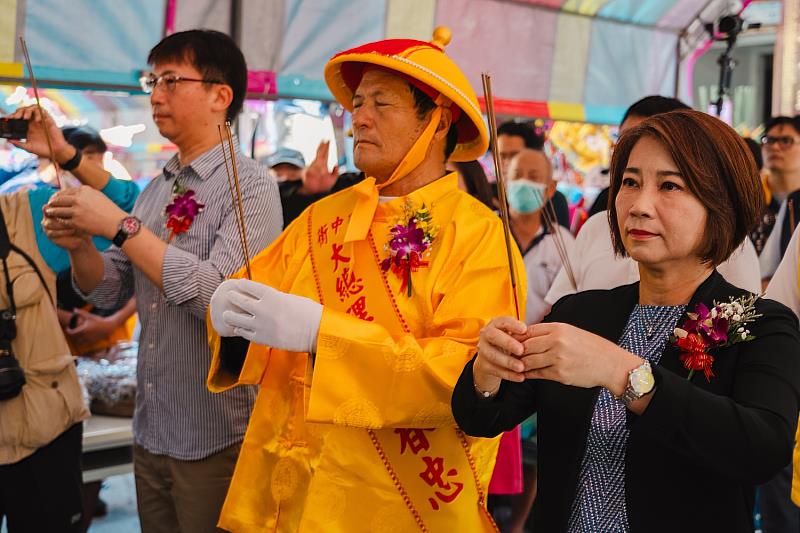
x=175, y=413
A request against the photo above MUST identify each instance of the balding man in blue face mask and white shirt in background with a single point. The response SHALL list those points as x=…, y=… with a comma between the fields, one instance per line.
x=530, y=186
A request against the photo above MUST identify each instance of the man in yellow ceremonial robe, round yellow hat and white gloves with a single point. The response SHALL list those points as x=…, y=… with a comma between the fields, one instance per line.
x=360, y=317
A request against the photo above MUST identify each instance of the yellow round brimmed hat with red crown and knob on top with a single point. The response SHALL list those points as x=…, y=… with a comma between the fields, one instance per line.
x=426, y=66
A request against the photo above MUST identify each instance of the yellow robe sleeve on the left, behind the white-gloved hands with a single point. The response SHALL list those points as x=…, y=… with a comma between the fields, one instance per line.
x=276, y=266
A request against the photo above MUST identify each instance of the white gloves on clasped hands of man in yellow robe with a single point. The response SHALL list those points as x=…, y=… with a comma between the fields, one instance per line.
x=266, y=316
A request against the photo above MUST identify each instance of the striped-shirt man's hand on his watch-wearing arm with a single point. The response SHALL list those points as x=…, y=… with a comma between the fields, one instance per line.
x=85, y=210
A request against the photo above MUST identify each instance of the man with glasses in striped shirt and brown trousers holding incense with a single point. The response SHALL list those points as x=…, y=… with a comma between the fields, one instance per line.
x=187, y=439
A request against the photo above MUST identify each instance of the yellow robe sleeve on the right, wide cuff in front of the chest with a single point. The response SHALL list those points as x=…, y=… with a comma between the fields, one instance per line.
x=365, y=377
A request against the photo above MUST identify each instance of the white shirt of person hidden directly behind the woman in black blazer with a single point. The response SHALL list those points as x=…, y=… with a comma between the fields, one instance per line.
x=597, y=267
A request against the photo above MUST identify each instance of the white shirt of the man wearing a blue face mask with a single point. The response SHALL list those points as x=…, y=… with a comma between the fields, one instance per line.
x=542, y=264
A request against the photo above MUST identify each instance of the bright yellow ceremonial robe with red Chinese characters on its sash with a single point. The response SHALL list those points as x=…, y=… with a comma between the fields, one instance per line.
x=361, y=437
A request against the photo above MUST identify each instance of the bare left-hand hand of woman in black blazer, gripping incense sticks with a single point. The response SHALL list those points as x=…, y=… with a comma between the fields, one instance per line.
x=499, y=349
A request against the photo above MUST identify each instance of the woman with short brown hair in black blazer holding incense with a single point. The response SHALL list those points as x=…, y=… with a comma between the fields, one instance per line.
x=628, y=439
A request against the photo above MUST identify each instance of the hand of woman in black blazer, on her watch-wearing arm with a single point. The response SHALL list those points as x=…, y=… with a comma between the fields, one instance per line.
x=572, y=356
